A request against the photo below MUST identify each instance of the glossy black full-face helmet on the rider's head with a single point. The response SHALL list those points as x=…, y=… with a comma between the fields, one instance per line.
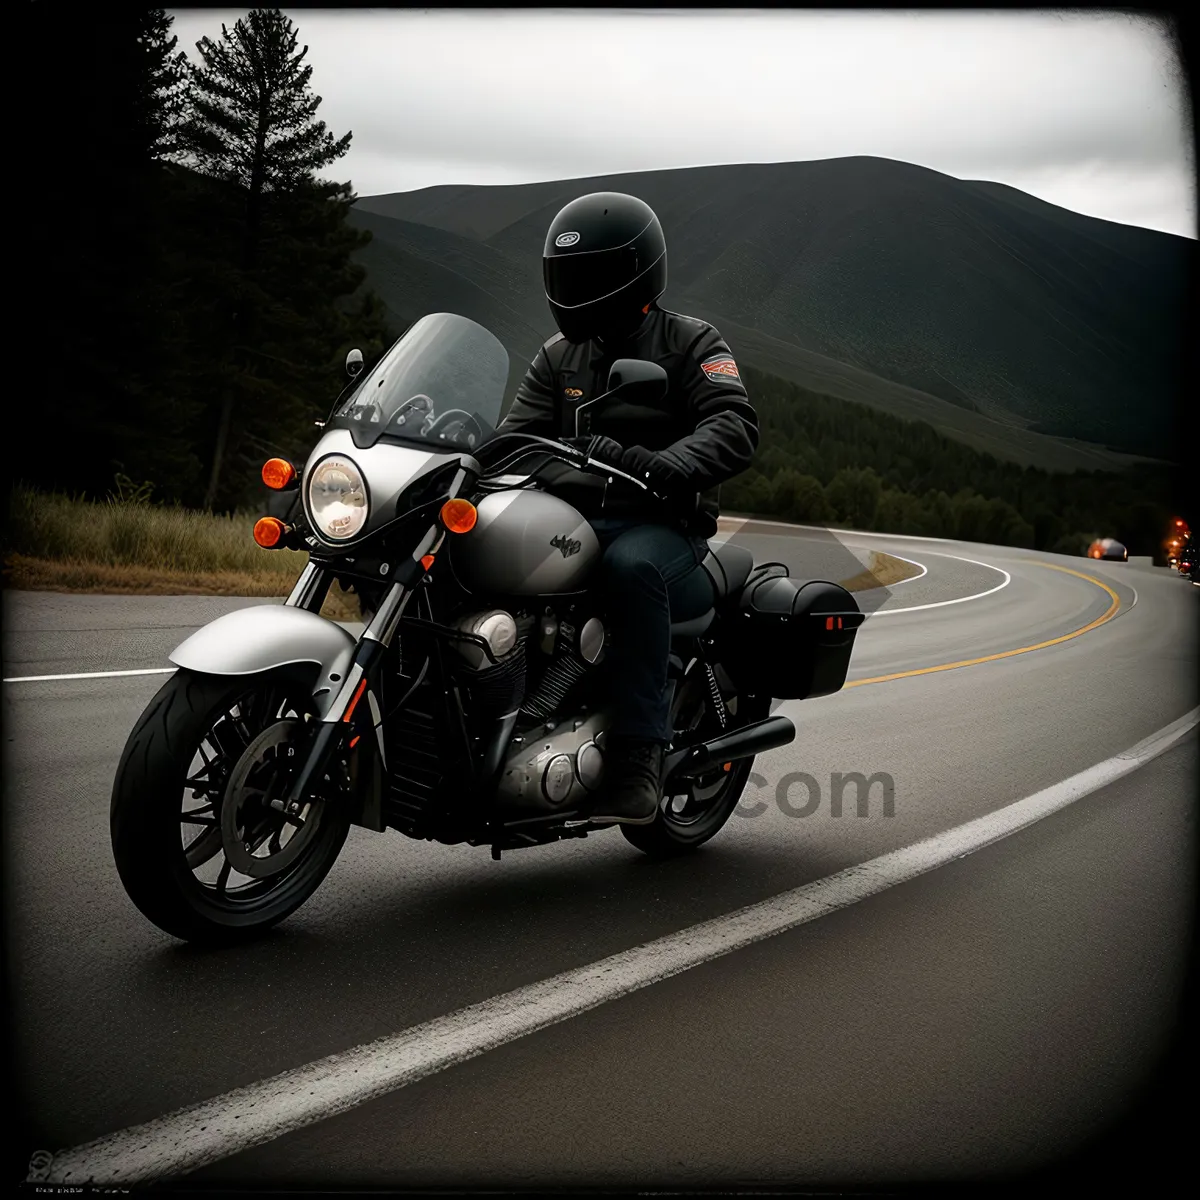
x=605, y=262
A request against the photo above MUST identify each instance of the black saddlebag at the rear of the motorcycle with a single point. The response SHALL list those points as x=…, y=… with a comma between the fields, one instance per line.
x=790, y=639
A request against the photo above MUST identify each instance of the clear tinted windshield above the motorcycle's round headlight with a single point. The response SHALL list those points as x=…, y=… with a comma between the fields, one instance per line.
x=441, y=385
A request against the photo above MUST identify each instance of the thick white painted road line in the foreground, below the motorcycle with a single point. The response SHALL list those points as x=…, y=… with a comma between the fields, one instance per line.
x=249, y=1117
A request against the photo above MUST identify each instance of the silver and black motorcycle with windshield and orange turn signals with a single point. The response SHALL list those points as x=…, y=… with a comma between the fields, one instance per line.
x=466, y=712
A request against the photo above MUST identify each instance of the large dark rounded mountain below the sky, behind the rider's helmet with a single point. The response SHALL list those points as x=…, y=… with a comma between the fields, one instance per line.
x=970, y=293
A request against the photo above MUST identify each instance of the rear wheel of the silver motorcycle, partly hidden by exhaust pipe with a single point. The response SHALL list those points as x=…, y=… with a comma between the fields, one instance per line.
x=691, y=815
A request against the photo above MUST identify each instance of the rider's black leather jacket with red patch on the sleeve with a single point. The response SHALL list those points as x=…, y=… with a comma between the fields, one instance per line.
x=706, y=430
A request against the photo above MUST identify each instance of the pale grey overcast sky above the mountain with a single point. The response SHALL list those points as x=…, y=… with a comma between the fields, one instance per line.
x=1085, y=111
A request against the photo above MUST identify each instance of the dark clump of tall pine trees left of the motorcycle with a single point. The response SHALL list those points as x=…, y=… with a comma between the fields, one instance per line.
x=196, y=311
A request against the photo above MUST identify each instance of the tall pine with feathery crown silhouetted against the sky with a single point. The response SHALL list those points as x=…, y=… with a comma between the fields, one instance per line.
x=253, y=124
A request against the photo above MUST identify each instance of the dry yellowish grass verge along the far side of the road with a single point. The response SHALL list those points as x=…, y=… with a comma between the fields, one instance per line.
x=131, y=548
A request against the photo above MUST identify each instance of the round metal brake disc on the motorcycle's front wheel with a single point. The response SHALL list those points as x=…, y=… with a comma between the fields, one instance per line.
x=249, y=824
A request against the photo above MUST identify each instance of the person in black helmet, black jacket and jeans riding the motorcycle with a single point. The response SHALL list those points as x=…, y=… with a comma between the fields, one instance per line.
x=605, y=266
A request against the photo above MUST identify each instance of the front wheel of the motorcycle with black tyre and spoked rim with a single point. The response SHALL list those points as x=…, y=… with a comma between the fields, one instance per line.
x=199, y=847
